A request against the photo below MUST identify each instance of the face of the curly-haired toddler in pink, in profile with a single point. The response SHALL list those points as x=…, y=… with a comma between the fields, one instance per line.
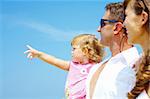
x=78, y=55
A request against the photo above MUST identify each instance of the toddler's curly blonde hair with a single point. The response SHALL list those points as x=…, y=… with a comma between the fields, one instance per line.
x=90, y=45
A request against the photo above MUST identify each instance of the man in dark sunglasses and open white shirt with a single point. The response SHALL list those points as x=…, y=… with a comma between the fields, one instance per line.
x=113, y=78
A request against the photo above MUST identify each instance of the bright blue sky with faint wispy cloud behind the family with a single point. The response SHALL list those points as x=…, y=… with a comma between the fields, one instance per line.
x=48, y=26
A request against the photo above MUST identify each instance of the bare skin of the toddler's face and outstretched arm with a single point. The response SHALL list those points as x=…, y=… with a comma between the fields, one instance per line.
x=77, y=56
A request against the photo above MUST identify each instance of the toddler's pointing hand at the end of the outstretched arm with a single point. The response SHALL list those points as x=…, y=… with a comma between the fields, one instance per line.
x=31, y=52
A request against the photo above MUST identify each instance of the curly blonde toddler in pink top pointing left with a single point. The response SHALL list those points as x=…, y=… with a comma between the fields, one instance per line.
x=86, y=52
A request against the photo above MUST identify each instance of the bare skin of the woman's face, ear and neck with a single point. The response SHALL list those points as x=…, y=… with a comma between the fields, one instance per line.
x=134, y=24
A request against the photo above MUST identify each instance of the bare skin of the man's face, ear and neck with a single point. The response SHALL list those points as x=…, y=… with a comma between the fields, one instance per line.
x=111, y=35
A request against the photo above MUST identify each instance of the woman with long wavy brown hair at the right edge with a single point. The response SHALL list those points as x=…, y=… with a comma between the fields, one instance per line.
x=137, y=22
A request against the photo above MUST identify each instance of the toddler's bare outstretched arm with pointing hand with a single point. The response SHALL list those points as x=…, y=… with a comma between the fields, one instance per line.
x=33, y=53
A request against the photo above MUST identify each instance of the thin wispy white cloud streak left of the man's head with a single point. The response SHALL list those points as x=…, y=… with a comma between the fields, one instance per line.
x=53, y=32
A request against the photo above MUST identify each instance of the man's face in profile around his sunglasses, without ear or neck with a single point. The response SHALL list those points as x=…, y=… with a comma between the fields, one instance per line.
x=106, y=31
